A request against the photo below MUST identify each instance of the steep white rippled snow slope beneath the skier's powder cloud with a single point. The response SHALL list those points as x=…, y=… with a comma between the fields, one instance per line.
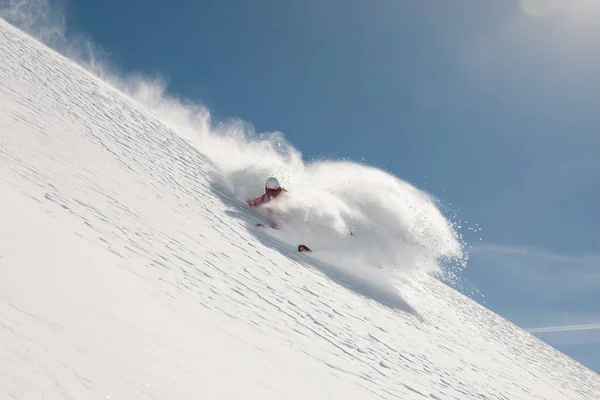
x=127, y=272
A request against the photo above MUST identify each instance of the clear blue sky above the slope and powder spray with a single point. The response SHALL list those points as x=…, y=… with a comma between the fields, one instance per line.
x=491, y=106
